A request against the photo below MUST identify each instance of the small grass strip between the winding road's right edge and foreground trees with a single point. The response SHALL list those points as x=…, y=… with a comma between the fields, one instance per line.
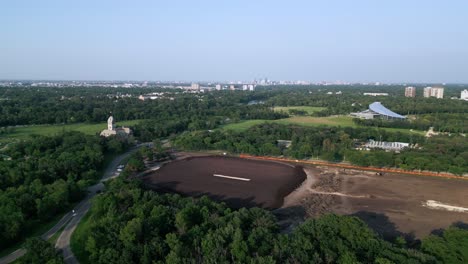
x=78, y=239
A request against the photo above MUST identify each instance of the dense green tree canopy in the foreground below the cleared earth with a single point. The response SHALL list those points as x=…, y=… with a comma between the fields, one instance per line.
x=128, y=224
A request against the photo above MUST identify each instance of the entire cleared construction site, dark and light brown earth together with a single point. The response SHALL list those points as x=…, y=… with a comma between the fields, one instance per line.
x=393, y=202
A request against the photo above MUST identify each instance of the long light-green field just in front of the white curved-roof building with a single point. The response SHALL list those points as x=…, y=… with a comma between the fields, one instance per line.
x=343, y=121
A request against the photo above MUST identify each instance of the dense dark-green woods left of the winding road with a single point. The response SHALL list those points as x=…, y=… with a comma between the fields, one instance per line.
x=44, y=176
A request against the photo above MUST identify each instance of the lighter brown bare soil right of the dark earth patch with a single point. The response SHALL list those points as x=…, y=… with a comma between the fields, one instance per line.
x=391, y=204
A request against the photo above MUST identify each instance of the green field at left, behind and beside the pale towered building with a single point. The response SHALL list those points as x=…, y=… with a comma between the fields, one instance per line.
x=48, y=130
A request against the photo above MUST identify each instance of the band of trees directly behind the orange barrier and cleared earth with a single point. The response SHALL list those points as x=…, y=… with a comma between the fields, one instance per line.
x=337, y=144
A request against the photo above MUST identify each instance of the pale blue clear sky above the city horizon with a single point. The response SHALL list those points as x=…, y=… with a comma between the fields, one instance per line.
x=387, y=41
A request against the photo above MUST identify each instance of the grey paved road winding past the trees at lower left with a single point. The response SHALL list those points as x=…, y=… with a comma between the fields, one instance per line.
x=63, y=242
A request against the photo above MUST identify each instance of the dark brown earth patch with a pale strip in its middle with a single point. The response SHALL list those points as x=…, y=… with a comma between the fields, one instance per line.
x=269, y=181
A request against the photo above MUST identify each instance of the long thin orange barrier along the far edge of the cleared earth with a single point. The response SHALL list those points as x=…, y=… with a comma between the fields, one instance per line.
x=346, y=166
